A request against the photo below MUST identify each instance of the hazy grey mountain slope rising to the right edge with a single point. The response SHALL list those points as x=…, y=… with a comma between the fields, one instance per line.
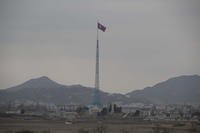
x=183, y=89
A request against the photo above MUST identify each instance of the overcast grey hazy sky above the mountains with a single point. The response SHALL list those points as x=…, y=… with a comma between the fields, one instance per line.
x=147, y=41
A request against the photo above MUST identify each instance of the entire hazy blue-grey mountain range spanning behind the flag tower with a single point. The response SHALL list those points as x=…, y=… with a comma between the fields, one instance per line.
x=183, y=89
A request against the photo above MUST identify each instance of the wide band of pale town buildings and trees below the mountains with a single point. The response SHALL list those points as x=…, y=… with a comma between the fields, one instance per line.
x=134, y=111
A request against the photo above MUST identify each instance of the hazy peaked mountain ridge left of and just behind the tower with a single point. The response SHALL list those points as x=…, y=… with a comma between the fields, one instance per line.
x=45, y=90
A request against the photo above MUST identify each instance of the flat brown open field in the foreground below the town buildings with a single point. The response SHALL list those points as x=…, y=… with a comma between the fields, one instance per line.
x=11, y=125
